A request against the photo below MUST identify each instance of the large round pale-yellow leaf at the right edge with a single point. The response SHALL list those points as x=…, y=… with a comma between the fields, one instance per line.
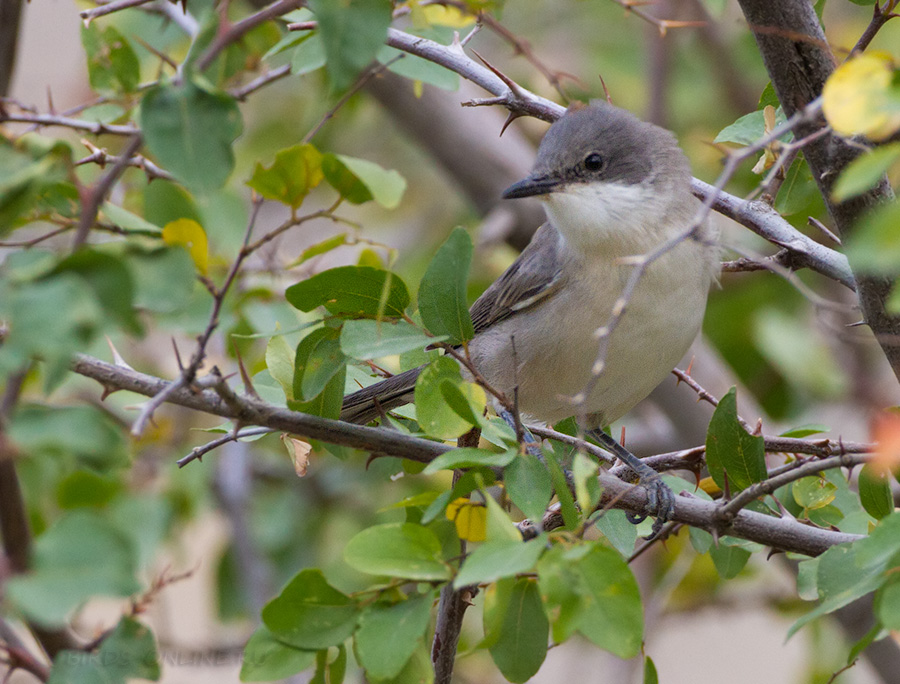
x=858, y=98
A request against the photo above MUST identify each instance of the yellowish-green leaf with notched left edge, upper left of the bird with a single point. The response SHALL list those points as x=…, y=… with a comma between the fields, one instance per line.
x=295, y=171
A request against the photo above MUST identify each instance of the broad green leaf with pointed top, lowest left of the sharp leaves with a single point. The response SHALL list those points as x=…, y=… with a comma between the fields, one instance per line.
x=310, y=613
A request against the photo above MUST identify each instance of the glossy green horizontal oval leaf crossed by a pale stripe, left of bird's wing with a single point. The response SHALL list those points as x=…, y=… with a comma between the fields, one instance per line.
x=352, y=291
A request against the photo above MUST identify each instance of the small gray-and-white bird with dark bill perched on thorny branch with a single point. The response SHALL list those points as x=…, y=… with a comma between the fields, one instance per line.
x=614, y=188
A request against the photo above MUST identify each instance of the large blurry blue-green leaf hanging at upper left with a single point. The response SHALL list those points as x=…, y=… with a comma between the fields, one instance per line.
x=190, y=129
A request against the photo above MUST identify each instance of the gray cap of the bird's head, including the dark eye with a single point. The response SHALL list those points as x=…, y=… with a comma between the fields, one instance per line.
x=601, y=142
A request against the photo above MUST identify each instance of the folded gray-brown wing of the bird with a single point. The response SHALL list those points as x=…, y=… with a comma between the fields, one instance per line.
x=531, y=278
